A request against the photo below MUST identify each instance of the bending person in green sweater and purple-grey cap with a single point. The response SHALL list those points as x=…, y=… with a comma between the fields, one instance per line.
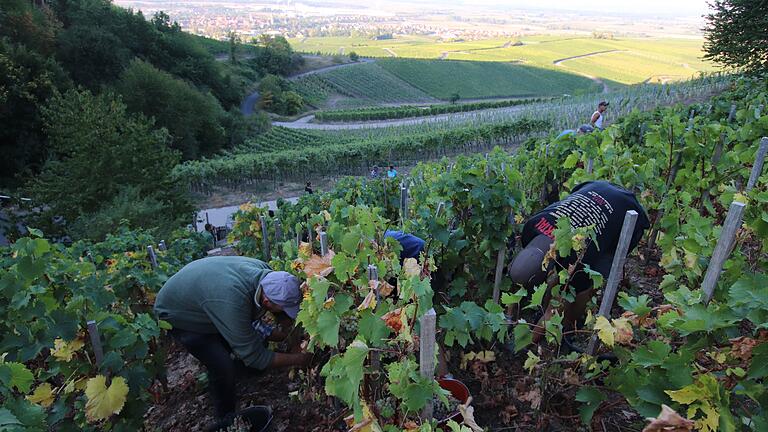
x=216, y=306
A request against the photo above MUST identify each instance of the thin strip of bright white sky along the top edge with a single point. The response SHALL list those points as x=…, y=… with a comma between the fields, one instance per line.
x=654, y=7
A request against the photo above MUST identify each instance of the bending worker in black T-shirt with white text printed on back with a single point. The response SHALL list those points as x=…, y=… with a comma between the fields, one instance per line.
x=600, y=204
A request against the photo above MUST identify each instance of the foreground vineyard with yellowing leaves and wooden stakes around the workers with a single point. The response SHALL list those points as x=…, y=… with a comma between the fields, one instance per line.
x=685, y=344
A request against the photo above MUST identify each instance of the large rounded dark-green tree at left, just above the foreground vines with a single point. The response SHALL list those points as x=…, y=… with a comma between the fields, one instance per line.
x=99, y=152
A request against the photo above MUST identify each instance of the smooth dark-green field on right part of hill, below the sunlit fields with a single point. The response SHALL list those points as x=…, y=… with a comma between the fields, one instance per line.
x=441, y=79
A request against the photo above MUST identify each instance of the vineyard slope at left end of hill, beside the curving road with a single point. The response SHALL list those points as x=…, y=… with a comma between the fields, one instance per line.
x=364, y=84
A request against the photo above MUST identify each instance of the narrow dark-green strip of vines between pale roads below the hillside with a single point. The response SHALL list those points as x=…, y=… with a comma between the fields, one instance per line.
x=387, y=113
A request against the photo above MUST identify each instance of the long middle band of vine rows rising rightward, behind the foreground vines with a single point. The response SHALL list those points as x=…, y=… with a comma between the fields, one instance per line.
x=281, y=154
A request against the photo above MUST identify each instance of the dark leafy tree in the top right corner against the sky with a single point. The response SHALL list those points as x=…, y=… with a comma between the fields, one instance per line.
x=735, y=34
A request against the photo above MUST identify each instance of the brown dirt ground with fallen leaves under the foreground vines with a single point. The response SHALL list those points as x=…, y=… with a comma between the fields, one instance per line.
x=504, y=394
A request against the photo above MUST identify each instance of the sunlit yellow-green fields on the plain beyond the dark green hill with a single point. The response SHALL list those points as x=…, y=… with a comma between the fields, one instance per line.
x=634, y=60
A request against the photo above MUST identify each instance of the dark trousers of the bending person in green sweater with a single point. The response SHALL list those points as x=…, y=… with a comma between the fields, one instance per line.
x=223, y=369
